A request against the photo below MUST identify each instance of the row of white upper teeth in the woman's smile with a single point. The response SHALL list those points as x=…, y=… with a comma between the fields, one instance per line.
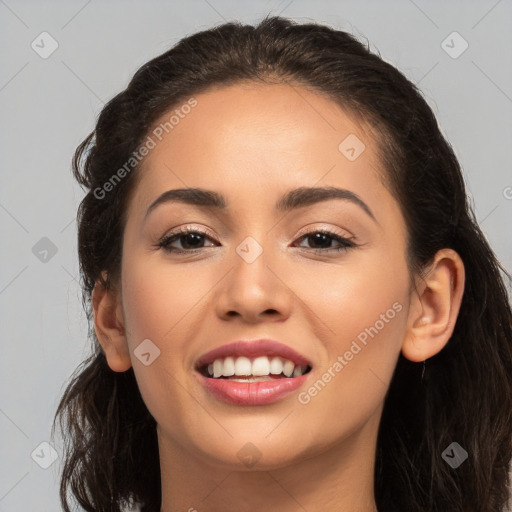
x=259, y=367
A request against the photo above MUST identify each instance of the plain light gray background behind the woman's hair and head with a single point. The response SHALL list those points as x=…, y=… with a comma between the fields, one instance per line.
x=49, y=105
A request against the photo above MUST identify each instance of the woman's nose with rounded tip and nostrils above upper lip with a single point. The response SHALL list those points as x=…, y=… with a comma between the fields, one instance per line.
x=254, y=291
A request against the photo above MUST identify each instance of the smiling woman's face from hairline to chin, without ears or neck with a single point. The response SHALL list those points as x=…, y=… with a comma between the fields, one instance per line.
x=257, y=275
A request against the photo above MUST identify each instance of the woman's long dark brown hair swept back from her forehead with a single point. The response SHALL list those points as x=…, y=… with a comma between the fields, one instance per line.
x=466, y=391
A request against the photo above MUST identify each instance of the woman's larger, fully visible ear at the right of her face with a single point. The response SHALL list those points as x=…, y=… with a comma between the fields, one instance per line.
x=435, y=307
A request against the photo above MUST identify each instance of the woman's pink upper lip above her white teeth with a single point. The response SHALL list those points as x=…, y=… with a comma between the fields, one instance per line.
x=253, y=348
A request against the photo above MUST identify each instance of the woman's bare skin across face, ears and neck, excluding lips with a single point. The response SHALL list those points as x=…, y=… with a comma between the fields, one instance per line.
x=252, y=143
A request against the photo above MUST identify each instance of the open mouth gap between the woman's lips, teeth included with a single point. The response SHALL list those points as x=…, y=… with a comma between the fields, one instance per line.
x=258, y=369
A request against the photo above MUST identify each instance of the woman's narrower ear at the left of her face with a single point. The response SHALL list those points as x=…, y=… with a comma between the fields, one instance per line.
x=109, y=326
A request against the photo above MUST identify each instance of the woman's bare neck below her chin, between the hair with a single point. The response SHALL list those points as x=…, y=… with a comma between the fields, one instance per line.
x=341, y=478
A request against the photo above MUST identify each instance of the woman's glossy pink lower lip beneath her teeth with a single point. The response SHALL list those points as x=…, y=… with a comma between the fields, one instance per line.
x=252, y=393
